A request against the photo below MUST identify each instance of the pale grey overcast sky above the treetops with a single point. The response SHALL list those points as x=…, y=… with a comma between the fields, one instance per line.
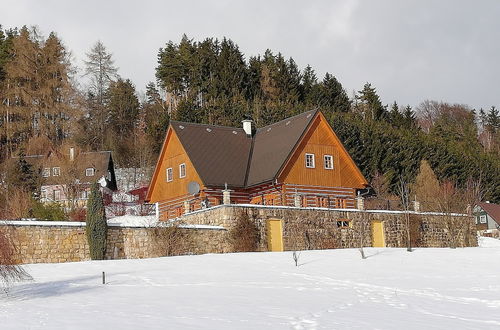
x=409, y=50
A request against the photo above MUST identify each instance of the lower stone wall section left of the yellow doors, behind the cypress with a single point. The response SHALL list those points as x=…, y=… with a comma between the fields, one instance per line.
x=65, y=242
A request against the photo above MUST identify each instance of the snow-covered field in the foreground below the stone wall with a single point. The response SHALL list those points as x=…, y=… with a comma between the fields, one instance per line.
x=333, y=289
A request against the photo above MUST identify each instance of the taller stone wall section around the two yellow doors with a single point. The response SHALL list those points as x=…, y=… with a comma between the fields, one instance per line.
x=315, y=228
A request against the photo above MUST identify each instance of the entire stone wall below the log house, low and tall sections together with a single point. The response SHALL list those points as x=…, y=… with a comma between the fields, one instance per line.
x=303, y=228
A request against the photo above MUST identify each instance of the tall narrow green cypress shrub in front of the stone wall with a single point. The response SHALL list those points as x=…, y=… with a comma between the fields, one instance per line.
x=96, y=228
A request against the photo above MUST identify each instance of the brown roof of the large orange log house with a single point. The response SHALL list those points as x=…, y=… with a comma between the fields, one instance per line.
x=226, y=155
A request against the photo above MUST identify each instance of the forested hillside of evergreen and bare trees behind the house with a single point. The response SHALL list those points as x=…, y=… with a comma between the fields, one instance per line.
x=47, y=103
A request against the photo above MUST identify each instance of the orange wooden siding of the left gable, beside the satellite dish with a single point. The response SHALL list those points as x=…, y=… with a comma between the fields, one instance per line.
x=172, y=155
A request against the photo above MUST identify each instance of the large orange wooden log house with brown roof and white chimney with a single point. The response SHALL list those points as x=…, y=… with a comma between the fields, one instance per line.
x=298, y=161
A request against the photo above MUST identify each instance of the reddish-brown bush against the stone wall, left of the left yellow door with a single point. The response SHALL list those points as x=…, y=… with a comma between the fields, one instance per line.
x=244, y=236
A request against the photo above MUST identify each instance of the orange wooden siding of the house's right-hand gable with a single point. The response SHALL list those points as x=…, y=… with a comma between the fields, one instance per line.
x=320, y=140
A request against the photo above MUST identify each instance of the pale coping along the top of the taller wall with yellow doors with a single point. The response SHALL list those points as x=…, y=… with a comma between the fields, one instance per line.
x=258, y=206
